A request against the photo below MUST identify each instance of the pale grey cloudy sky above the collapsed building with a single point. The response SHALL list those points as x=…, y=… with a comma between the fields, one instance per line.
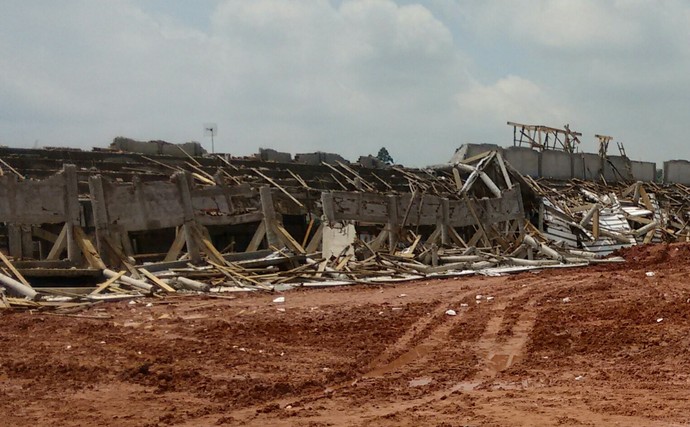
x=418, y=77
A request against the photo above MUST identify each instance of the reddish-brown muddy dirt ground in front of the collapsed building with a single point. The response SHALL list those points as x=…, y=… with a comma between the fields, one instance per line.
x=605, y=345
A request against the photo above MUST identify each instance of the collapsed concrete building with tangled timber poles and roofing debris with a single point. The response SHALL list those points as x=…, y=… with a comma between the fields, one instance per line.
x=131, y=223
